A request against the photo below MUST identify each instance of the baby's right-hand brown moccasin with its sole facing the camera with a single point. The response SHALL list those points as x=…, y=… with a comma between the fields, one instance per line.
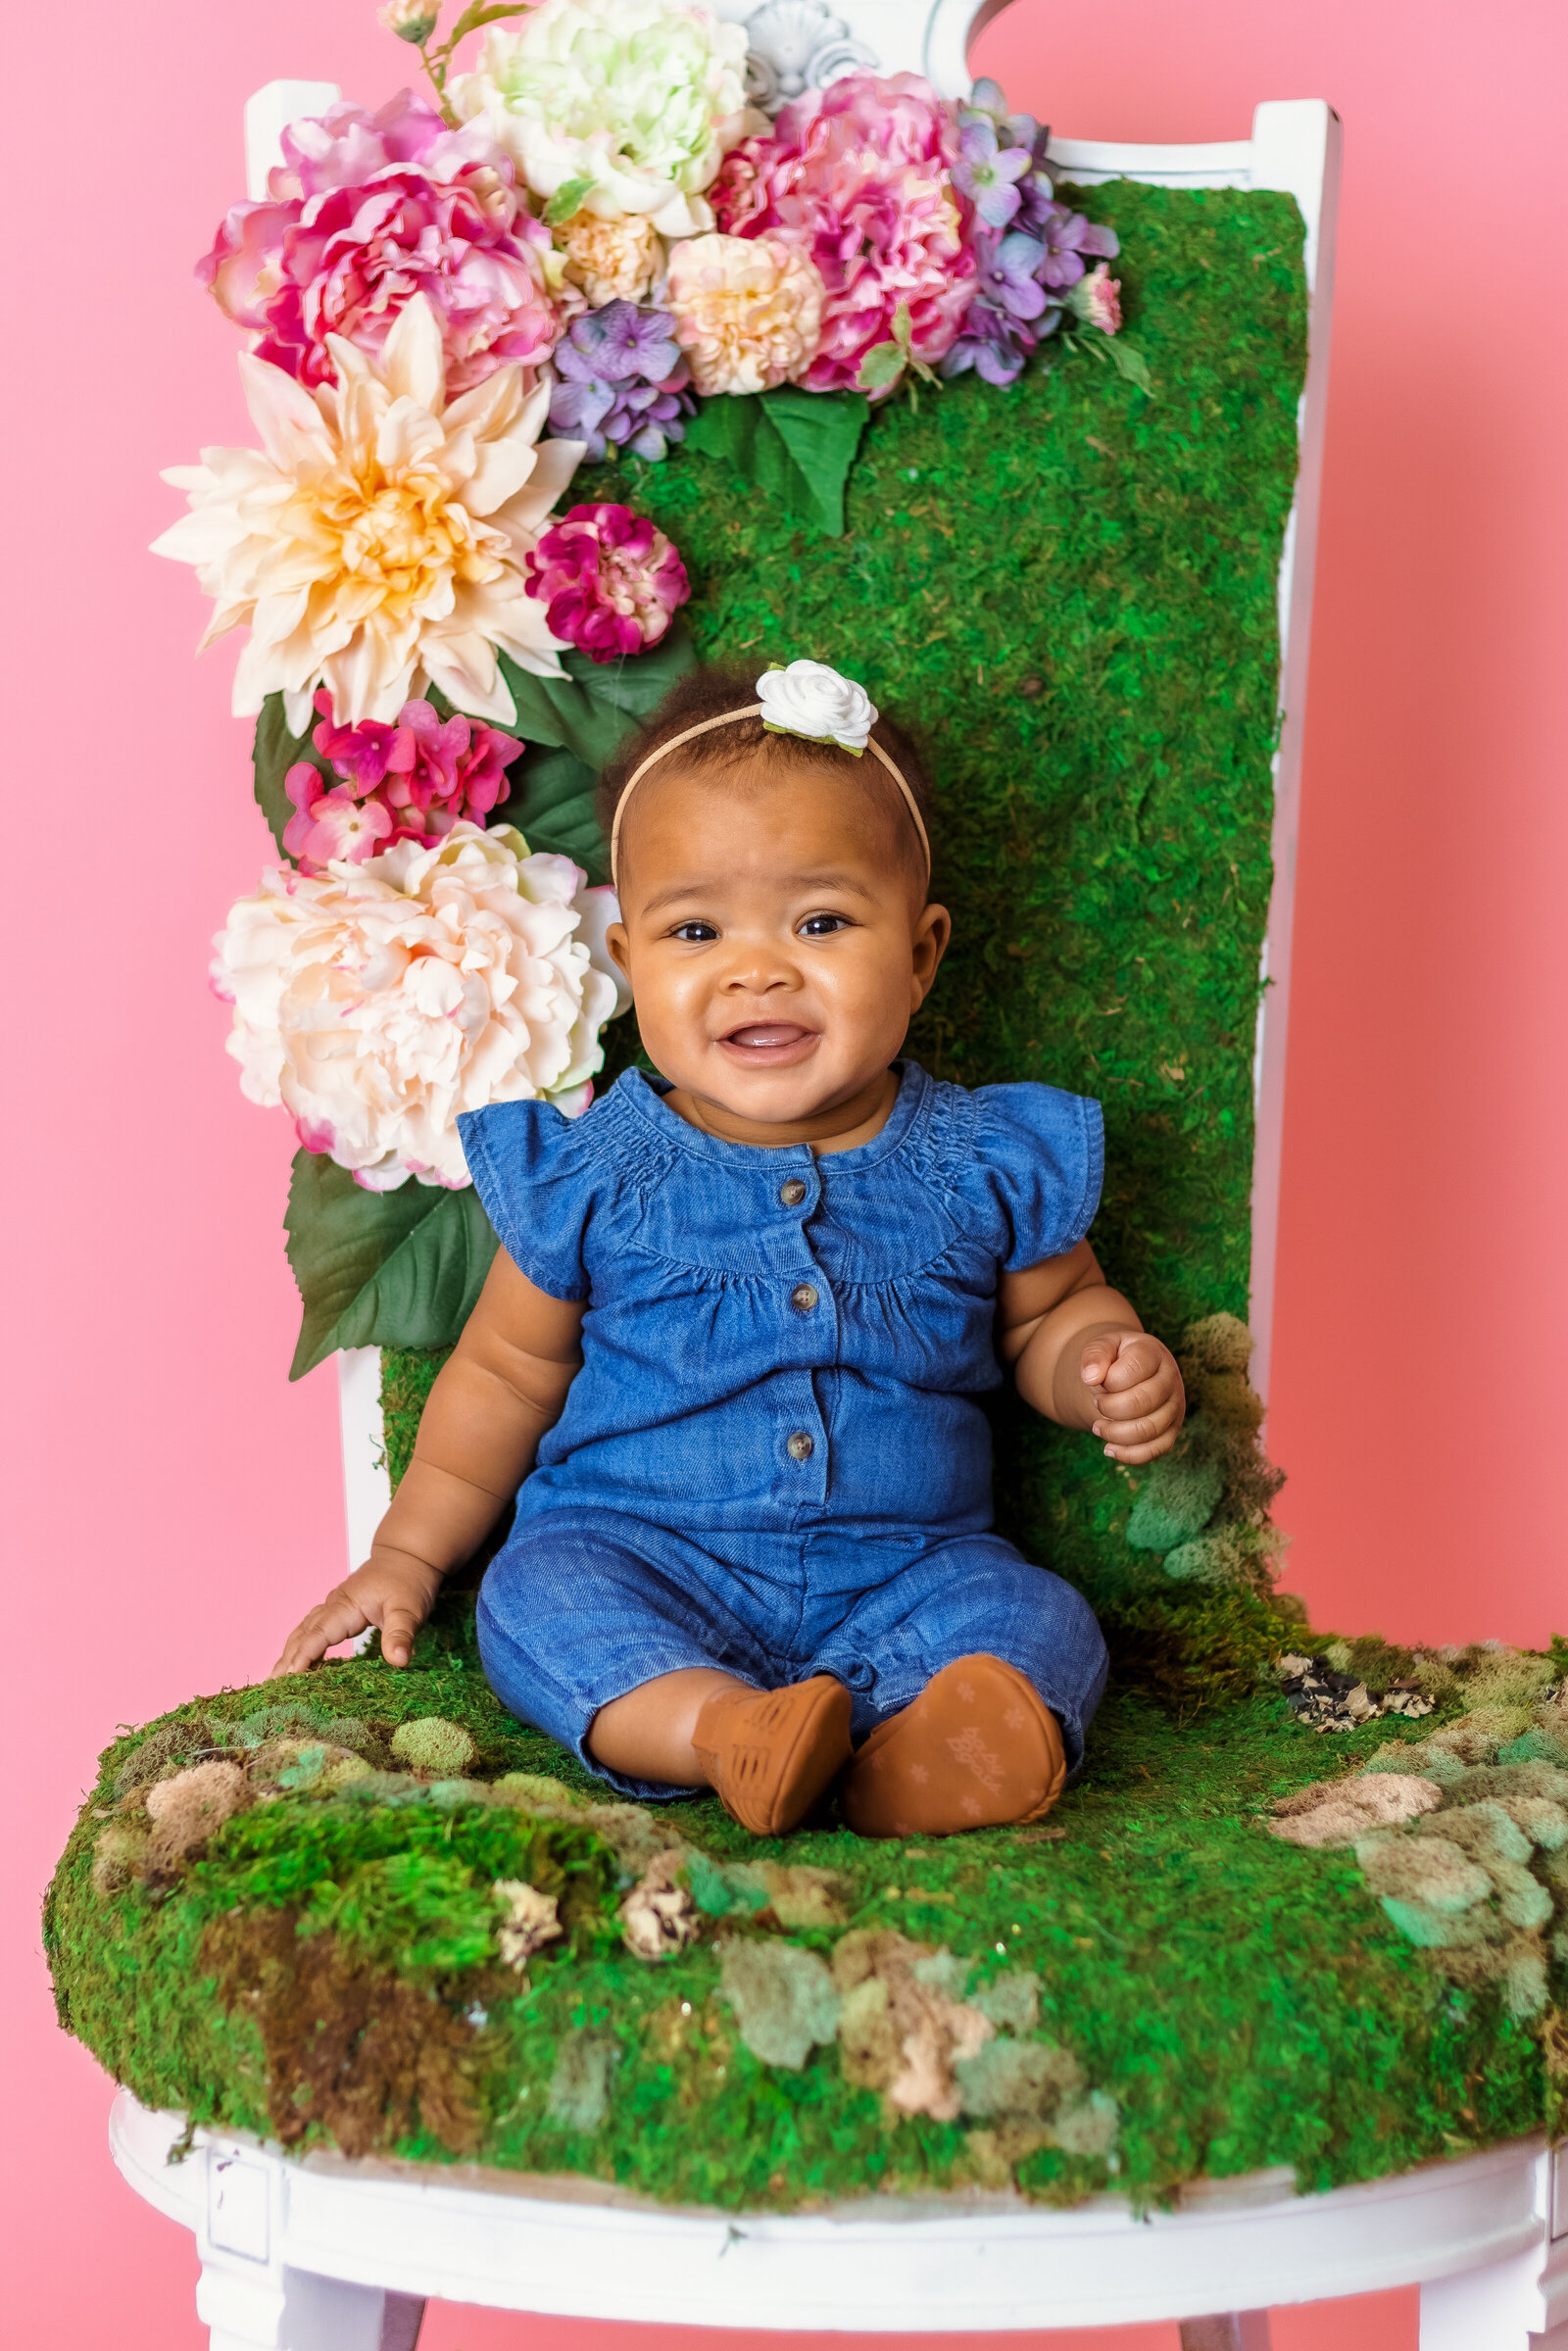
x=977, y=1750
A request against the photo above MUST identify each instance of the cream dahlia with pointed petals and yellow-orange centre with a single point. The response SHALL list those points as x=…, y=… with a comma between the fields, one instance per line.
x=375, y=542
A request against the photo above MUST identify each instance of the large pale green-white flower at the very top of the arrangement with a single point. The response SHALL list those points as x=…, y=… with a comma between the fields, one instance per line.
x=615, y=107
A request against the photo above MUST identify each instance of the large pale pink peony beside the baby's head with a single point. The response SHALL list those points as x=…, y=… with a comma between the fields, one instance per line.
x=377, y=1003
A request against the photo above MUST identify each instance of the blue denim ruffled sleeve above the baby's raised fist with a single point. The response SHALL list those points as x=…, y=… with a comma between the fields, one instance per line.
x=1045, y=1160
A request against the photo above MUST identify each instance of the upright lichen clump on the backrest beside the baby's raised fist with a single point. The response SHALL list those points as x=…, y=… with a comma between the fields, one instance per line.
x=1207, y=1503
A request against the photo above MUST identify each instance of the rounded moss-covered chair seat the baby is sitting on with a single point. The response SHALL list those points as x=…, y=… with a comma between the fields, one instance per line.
x=1146, y=1990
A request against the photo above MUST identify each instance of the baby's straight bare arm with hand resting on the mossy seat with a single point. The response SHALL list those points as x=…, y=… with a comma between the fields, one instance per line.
x=495, y=1398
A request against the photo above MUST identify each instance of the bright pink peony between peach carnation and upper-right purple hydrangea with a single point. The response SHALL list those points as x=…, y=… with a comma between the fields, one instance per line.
x=859, y=178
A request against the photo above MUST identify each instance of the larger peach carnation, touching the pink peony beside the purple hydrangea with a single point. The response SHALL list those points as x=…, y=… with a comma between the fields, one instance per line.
x=749, y=312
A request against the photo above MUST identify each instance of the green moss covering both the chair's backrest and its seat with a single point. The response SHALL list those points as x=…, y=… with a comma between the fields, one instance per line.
x=368, y=1910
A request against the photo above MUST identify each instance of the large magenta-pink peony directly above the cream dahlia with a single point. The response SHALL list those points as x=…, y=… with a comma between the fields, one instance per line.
x=370, y=210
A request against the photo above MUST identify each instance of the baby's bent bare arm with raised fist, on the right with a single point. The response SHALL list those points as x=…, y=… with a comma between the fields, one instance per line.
x=1083, y=1358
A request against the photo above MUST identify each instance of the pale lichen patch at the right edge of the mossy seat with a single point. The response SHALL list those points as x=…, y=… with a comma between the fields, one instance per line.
x=1463, y=1835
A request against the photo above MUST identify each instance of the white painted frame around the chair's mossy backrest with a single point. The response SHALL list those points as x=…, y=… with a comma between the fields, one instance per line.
x=1294, y=149
